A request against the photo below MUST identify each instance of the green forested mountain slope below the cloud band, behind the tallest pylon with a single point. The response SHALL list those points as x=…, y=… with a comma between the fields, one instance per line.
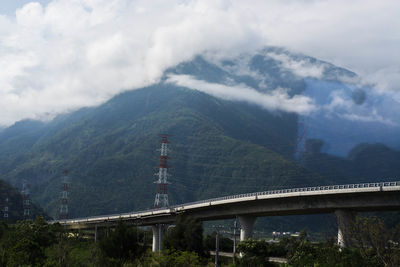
x=218, y=148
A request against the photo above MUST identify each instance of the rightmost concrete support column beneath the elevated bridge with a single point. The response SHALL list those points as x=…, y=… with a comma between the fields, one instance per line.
x=345, y=220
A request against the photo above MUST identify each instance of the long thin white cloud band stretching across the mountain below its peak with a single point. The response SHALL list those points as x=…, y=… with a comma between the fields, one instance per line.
x=276, y=100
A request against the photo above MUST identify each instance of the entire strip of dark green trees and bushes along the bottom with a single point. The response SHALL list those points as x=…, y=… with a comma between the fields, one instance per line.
x=36, y=243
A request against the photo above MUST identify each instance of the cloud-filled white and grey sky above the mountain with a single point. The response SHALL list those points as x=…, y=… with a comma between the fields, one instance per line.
x=59, y=55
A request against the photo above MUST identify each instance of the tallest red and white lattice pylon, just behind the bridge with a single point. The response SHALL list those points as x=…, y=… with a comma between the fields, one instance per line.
x=161, y=199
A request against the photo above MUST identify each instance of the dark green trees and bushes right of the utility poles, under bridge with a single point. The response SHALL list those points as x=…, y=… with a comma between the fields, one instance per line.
x=373, y=244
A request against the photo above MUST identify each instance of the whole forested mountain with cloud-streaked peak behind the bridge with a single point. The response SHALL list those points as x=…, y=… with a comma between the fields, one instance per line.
x=222, y=141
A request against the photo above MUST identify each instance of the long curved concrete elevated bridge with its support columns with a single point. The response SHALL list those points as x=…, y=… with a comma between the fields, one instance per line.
x=342, y=200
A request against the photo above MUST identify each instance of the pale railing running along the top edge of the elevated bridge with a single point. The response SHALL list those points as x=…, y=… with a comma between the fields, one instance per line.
x=255, y=194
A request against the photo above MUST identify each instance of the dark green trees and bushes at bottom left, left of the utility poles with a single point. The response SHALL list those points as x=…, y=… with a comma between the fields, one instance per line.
x=36, y=243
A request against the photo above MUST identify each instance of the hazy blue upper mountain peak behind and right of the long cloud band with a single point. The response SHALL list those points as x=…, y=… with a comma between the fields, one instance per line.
x=347, y=111
